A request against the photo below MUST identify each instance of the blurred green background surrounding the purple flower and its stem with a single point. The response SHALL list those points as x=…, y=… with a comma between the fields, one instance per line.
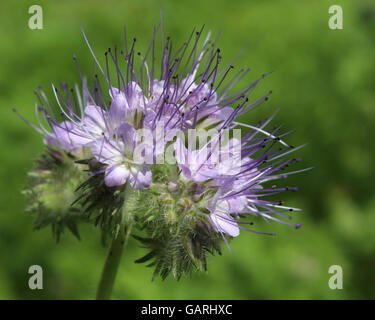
x=324, y=82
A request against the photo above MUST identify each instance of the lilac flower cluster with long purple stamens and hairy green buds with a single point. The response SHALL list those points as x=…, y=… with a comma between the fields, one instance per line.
x=171, y=139
